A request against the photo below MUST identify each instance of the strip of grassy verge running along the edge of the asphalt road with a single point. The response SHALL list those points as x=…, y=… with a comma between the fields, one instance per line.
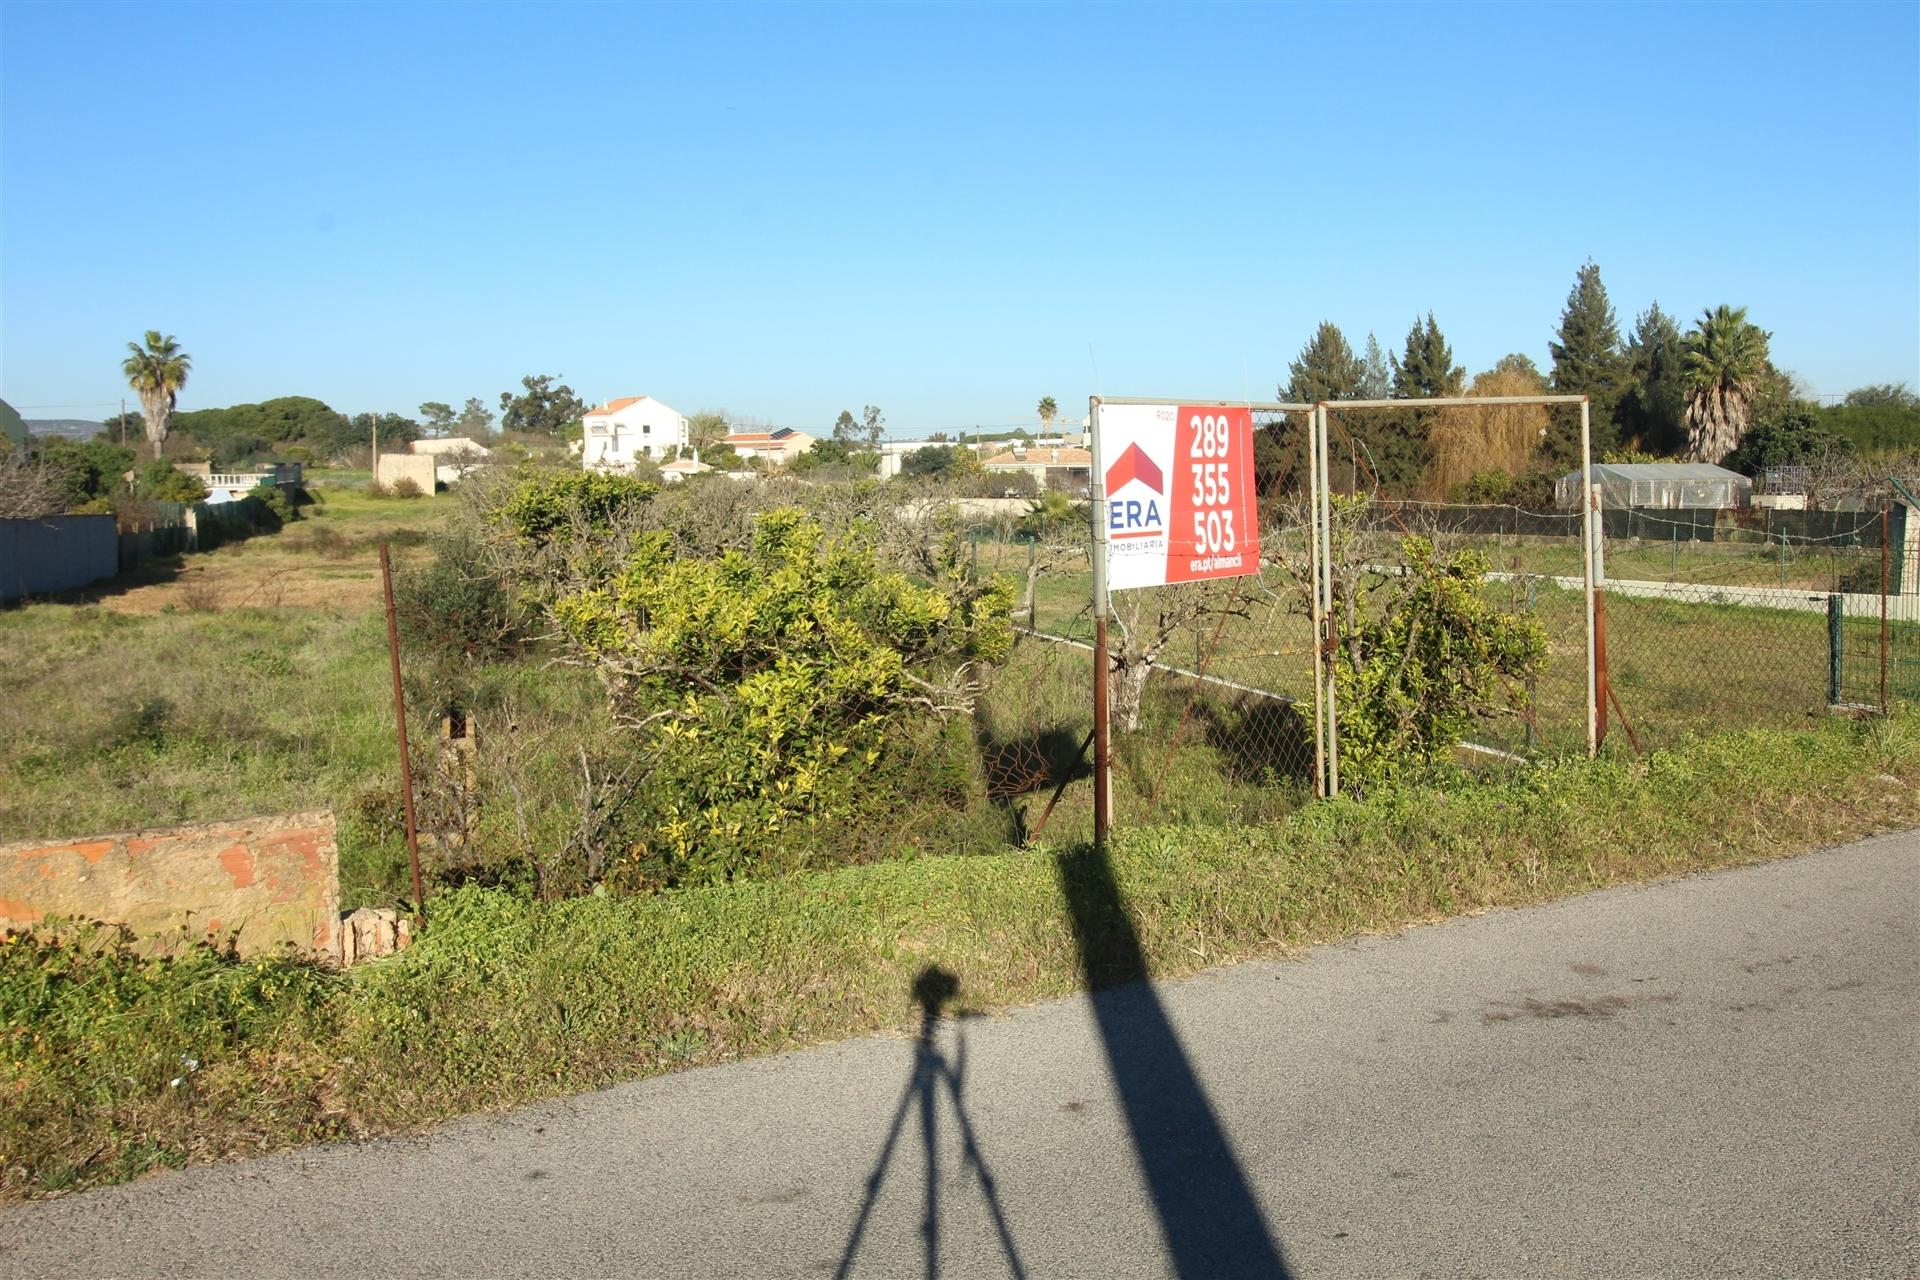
x=114, y=1066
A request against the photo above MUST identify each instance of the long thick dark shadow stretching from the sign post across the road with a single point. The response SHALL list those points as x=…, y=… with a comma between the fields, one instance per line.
x=1209, y=1216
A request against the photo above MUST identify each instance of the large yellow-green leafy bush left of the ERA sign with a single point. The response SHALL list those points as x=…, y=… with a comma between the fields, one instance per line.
x=769, y=684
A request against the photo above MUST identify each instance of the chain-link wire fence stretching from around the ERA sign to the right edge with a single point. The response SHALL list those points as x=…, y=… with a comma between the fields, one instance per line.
x=1710, y=619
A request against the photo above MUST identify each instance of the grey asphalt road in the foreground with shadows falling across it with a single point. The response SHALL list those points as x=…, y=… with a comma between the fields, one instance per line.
x=1706, y=1078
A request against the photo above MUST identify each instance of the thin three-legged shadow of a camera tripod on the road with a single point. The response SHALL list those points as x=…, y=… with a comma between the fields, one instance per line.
x=934, y=989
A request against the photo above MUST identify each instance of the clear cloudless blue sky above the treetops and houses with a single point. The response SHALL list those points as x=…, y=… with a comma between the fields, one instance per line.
x=942, y=210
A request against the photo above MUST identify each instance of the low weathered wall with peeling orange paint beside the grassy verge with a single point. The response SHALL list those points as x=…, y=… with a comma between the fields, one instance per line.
x=270, y=880
